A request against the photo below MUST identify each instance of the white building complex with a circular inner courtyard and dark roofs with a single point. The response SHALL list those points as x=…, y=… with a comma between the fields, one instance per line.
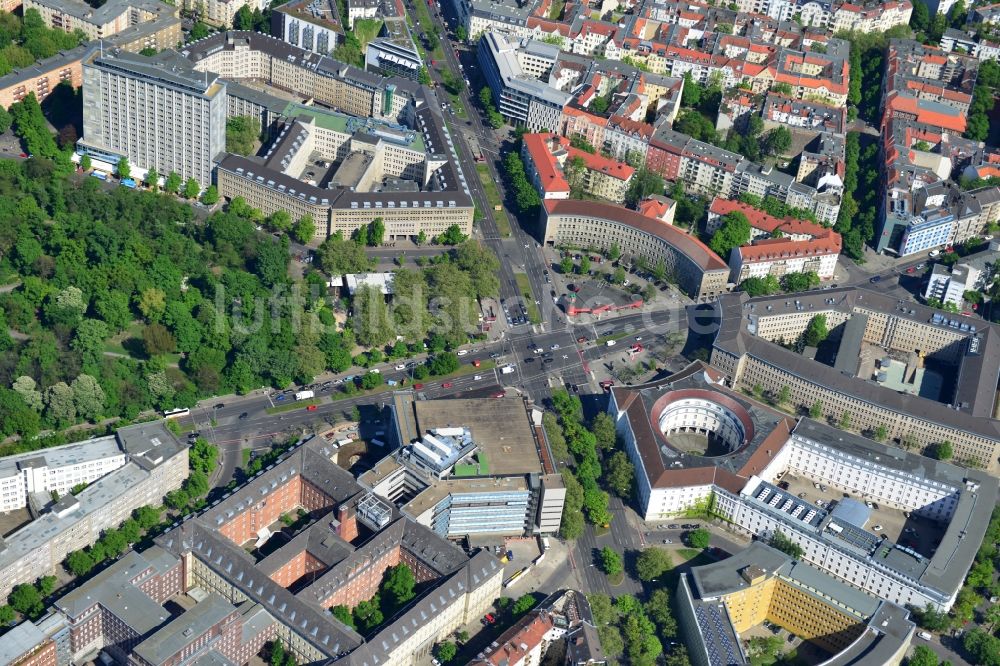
x=752, y=447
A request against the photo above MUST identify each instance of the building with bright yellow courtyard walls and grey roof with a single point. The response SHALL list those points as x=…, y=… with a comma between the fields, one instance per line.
x=719, y=602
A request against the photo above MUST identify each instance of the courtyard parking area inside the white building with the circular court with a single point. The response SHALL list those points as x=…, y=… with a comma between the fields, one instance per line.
x=918, y=533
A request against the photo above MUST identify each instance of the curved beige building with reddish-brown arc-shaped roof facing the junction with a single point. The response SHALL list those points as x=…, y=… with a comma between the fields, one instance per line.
x=690, y=263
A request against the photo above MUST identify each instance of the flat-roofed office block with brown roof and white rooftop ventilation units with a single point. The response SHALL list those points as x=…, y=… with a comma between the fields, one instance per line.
x=488, y=474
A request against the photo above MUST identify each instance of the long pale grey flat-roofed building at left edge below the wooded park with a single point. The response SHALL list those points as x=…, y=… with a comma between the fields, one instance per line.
x=157, y=464
